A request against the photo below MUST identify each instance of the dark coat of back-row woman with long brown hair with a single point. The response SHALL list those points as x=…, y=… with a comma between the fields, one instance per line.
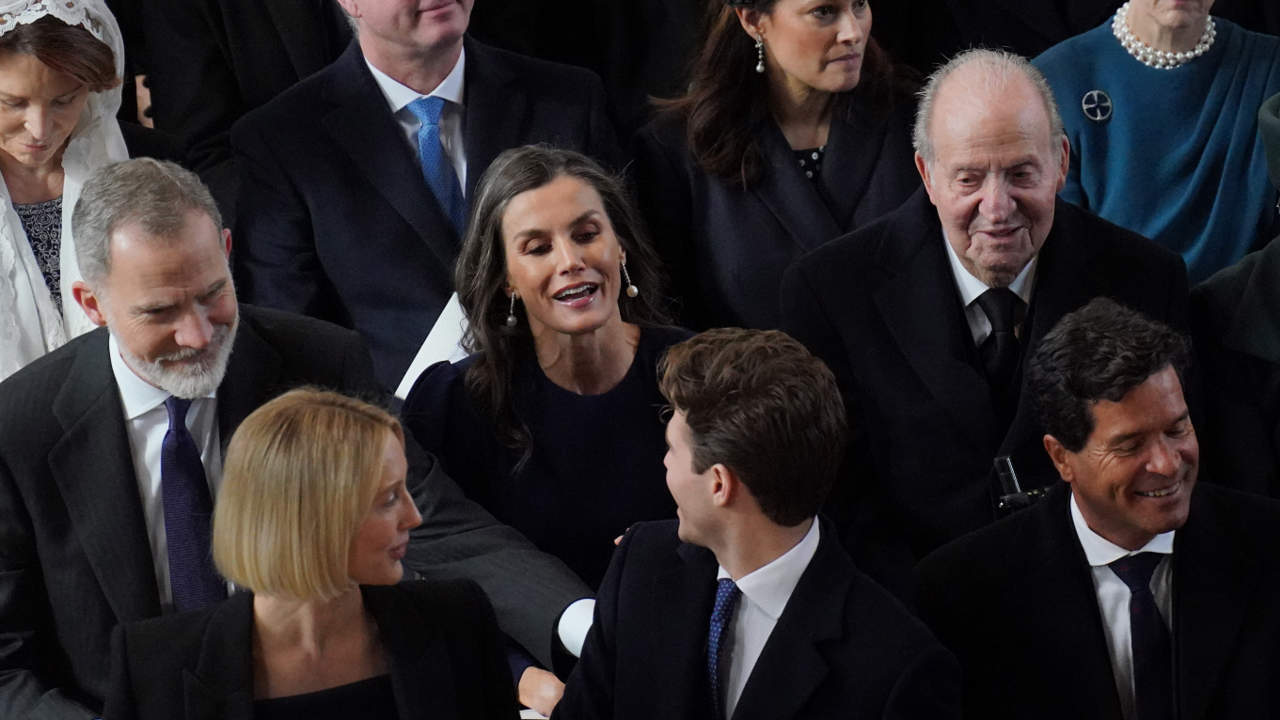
x=728, y=248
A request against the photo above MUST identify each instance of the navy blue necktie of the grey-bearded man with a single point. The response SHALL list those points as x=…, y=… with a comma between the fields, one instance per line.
x=188, y=516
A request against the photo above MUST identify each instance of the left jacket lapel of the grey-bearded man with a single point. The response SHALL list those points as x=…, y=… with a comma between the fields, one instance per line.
x=94, y=470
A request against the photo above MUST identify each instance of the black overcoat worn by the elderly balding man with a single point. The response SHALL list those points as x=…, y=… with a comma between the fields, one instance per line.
x=881, y=308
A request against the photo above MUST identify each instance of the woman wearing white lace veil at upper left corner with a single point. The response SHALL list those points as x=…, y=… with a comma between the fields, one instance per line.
x=61, y=67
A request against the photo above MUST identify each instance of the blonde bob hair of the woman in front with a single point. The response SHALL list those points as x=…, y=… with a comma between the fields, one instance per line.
x=301, y=475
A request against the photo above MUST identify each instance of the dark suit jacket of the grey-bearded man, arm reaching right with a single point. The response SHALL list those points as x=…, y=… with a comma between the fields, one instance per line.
x=75, y=558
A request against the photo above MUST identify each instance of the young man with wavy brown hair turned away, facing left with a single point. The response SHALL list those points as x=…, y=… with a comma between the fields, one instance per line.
x=747, y=607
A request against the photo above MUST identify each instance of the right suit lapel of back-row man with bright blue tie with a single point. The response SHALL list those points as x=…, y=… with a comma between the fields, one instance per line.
x=496, y=107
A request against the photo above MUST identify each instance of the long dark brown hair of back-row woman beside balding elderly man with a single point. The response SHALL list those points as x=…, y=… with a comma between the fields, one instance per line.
x=728, y=101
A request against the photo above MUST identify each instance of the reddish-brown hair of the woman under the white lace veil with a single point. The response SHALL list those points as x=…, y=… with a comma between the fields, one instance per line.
x=67, y=49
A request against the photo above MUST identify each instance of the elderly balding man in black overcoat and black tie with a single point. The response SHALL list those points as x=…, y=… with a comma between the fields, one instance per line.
x=925, y=317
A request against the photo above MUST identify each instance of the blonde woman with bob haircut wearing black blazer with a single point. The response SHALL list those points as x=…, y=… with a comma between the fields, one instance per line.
x=313, y=518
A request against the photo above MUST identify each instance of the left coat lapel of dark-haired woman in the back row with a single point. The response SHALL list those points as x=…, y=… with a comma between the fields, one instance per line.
x=789, y=195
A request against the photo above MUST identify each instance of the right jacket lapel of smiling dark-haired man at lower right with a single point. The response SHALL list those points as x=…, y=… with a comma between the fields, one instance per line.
x=1213, y=589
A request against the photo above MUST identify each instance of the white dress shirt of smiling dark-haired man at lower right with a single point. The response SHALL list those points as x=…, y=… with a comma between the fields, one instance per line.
x=1114, y=598
